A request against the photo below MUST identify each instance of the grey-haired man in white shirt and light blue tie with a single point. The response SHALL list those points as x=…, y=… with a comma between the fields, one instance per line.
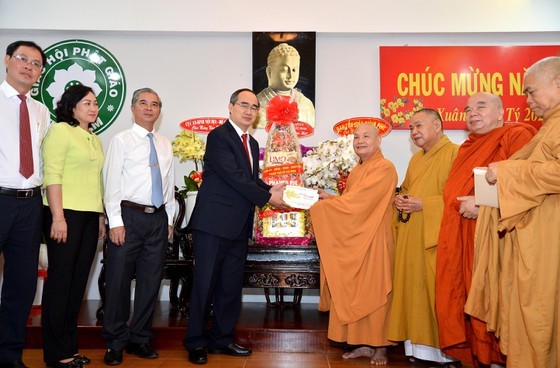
x=139, y=201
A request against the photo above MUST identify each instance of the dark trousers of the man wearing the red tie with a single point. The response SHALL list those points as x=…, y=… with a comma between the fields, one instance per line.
x=20, y=236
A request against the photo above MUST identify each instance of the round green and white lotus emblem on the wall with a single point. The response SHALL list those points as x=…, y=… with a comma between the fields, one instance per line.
x=83, y=62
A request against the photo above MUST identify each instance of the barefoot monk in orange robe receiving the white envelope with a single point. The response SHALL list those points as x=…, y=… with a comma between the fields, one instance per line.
x=355, y=243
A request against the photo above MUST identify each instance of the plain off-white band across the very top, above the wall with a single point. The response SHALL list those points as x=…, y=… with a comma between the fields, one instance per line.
x=352, y=16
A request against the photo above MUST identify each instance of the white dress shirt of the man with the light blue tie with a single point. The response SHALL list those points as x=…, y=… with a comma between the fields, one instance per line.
x=127, y=175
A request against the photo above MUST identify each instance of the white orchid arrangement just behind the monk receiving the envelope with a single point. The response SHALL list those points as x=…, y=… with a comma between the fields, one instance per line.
x=324, y=164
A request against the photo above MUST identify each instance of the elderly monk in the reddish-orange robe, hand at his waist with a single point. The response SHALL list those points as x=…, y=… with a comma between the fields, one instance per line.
x=489, y=140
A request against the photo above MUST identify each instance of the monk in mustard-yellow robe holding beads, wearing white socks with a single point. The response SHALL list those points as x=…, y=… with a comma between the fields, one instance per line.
x=416, y=228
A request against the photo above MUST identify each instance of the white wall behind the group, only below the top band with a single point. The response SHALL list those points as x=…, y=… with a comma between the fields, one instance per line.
x=194, y=73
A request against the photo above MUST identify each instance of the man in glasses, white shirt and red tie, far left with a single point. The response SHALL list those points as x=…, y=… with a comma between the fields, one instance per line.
x=24, y=122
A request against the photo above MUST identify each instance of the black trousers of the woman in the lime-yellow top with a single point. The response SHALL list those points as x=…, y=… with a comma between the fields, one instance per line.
x=67, y=277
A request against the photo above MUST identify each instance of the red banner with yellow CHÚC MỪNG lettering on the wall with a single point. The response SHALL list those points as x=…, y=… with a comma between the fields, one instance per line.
x=442, y=78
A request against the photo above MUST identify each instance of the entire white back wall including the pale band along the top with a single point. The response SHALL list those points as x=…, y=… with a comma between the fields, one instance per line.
x=205, y=52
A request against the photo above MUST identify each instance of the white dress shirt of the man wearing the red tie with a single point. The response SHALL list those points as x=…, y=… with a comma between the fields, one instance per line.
x=39, y=120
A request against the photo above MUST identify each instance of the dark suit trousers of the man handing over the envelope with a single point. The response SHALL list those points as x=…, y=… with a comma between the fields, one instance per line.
x=217, y=280
